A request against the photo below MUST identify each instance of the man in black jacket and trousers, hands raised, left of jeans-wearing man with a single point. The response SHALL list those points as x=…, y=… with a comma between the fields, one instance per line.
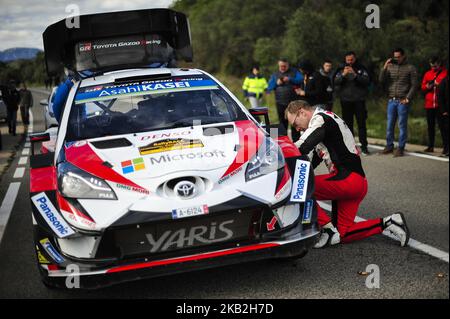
x=351, y=82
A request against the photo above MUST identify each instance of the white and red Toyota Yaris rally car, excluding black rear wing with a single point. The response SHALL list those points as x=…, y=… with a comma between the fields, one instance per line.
x=162, y=170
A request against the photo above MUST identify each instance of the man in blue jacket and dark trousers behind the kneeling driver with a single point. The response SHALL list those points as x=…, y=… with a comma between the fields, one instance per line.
x=283, y=83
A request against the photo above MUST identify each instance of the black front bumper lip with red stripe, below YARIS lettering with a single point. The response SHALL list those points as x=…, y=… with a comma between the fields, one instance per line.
x=293, y=243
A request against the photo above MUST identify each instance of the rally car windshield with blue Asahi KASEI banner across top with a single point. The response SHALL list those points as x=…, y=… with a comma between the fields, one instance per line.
x=144, y=106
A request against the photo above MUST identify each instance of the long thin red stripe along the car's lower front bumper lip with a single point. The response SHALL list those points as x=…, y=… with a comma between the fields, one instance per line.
x=192, y=258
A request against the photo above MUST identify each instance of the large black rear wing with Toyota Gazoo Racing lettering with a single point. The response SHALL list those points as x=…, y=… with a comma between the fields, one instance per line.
x=116, y=40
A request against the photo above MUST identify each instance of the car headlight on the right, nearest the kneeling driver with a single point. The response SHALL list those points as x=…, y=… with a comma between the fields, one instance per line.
x=268, y=159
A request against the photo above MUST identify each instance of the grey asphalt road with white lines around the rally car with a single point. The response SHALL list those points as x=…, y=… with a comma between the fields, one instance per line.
x=419, y=187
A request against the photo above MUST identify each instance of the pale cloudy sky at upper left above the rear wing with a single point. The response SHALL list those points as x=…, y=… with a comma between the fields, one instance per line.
x=22, y=22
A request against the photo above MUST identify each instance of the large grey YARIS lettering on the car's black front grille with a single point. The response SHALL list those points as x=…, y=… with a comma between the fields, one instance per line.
x=184, y=237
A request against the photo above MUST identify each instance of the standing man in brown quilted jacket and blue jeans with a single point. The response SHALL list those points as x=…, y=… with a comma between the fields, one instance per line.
x=401, y=80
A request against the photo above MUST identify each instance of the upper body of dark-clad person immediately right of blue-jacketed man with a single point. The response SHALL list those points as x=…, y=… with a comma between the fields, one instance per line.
x=314, y=88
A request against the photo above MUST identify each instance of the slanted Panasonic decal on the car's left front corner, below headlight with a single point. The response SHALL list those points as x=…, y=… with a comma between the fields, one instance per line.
x=51, y=215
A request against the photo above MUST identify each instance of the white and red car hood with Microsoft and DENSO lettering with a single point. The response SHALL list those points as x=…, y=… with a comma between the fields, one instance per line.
x=136, y=159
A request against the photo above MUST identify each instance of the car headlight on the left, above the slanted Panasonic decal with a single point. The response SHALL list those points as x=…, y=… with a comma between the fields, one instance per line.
x=76, y=183
